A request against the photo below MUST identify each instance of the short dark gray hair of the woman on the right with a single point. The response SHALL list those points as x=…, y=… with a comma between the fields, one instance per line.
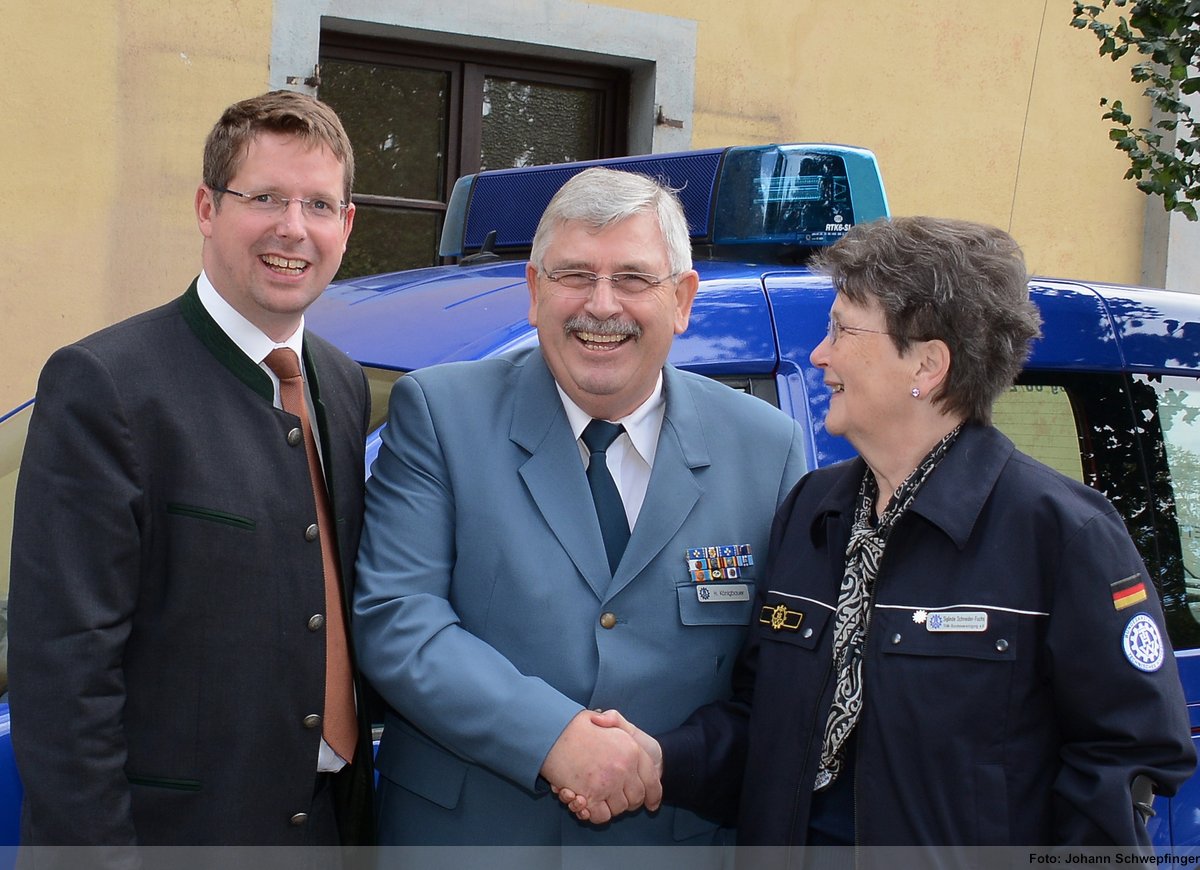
x=962, y=283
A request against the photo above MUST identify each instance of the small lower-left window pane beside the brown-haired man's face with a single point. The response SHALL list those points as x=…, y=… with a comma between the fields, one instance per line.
x=386, y=241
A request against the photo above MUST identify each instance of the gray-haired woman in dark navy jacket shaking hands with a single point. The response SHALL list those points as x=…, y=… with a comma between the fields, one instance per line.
x=956, y=645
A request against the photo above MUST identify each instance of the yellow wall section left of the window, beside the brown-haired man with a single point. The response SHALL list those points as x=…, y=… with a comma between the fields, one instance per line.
x=103, y=119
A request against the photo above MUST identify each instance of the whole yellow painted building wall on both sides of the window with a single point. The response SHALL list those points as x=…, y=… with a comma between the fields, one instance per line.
x=980, y=111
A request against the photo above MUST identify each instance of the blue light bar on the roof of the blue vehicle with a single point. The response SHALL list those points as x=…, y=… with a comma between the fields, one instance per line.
x=760, y=195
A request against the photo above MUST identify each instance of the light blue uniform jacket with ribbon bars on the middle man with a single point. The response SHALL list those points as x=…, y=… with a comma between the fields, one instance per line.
x=483, y=581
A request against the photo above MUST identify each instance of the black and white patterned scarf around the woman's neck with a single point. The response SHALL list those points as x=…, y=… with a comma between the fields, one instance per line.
x=863, y=557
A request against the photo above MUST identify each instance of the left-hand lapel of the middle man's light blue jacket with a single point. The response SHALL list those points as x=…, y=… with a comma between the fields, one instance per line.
x=554, y=473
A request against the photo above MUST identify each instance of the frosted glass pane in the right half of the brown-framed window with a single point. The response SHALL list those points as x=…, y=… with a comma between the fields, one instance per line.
x=531, y=124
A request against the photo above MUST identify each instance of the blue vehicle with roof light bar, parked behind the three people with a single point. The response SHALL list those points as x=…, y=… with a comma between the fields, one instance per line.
x=1111, y=395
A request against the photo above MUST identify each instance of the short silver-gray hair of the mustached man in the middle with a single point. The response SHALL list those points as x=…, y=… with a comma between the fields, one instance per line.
x=601, y=197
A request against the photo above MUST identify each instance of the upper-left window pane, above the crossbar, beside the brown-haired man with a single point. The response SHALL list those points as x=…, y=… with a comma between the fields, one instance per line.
x=397, y=119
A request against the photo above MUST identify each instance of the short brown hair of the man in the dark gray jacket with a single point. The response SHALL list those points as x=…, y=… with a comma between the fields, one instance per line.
x=277, y=112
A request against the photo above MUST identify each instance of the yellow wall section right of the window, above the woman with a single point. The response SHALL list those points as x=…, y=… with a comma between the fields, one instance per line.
x=988, y=112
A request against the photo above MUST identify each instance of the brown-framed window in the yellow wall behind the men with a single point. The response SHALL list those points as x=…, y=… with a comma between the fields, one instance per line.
x=422, y=116
